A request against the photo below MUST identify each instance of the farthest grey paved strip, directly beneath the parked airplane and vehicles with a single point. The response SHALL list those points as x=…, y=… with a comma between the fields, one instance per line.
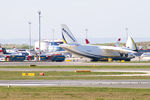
x=67, y=64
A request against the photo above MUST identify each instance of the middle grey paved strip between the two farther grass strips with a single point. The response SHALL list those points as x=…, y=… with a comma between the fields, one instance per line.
x=73, y=69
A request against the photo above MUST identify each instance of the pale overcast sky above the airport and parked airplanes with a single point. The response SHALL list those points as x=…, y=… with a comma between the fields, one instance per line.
x=102, y=18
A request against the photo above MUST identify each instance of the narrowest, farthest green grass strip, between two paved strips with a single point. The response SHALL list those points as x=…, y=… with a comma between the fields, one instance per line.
x=93, y=66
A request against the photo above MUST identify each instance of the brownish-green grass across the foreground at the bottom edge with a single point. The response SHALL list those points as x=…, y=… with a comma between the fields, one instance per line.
x=72, y=93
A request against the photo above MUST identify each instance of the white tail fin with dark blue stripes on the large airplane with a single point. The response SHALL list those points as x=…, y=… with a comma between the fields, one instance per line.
x=67, y=35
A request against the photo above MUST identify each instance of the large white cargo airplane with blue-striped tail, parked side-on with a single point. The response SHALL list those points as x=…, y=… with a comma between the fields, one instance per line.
x=92, y=51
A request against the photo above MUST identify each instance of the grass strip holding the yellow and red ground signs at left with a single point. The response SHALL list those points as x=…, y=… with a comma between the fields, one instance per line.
x=17, y=75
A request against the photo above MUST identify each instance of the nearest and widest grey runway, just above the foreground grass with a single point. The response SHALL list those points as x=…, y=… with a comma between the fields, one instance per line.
x=79, y=83
